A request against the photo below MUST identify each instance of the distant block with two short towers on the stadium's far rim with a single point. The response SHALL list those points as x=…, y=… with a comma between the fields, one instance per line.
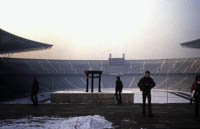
x=116, y=61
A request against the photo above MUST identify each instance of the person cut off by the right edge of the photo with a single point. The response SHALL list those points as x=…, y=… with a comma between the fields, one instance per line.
x=197, y=95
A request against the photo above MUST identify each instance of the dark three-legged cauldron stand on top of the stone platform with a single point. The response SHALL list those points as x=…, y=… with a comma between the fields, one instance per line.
x=92, y=72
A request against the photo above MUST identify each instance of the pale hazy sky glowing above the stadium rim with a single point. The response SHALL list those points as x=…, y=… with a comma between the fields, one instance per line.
x=91, y=29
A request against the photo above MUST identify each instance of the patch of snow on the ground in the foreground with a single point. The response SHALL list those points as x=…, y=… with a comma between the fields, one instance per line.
x=82, y=122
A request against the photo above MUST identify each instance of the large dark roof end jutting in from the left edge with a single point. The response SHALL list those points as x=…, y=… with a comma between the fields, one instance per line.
x=10, y=43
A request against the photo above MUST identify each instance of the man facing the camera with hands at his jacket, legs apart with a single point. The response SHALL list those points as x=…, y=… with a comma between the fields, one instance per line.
x=146, y=84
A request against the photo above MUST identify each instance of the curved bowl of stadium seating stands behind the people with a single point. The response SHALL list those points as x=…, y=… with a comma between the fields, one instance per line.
x=174, y=76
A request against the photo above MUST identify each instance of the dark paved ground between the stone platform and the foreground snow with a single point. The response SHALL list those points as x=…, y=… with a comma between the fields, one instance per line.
x=166, y=116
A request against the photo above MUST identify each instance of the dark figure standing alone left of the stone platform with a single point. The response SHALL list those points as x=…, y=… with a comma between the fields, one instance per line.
x=35, y=90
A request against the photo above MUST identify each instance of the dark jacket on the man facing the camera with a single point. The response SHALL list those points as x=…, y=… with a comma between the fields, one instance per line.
x=146, y=84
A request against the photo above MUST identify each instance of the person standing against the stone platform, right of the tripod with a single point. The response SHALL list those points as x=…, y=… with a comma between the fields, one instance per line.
x=118, y=90
